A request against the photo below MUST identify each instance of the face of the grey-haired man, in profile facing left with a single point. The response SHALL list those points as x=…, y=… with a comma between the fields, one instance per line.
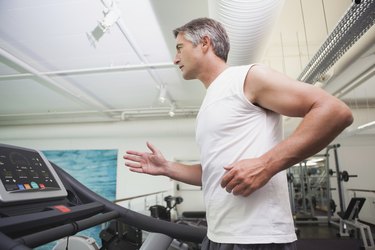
x=187, y=57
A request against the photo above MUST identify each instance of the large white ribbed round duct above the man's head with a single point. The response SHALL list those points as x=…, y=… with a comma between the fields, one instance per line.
x=248, y=24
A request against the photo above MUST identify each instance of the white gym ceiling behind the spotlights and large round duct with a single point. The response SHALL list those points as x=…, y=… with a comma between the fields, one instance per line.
x=51, y=72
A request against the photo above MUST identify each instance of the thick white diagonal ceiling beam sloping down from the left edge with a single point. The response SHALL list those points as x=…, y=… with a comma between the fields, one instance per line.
x=52, y=84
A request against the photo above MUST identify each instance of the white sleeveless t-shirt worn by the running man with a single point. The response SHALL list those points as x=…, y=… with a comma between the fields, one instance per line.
x=230, y=128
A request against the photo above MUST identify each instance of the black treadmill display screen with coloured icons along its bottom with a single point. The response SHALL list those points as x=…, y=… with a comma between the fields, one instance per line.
x=24, y=171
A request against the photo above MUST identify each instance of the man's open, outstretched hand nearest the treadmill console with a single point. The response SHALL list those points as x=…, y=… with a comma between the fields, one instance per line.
x=152, y=163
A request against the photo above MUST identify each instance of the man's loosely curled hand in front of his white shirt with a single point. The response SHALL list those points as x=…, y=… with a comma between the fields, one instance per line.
x=245, y=176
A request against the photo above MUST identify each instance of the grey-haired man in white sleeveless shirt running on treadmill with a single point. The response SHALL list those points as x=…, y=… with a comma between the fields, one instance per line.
x=239, y=132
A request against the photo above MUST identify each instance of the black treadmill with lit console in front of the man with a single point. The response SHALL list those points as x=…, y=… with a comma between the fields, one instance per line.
x=41, y=203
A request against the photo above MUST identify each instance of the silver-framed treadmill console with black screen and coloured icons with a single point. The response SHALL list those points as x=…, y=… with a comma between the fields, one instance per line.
x=27, y=175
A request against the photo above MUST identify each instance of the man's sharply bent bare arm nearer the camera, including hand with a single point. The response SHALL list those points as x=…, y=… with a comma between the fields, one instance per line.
x=324, y=117
